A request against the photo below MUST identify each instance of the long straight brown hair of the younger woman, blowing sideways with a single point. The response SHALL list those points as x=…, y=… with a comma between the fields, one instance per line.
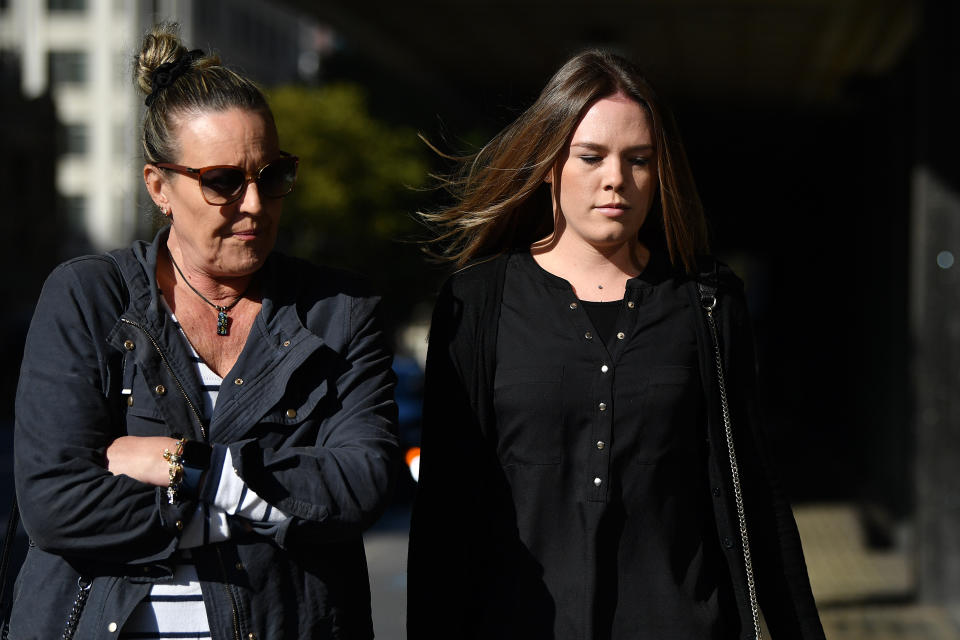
x=502, y=202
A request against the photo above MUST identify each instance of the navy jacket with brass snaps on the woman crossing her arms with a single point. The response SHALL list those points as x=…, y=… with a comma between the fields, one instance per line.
x=311, y=429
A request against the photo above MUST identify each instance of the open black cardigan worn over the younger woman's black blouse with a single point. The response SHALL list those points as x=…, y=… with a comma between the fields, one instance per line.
x=466, y=560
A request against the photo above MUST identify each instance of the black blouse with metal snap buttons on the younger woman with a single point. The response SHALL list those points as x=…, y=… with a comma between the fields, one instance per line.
x=603, y=446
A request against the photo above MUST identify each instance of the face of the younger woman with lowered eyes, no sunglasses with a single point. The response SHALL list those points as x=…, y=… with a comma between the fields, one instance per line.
x=607, y=177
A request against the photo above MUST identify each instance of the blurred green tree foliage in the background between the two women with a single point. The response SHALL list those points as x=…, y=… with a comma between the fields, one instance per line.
x=360, y=183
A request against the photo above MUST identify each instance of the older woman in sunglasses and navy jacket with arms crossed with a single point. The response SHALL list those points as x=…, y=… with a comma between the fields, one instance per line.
x=204, y=427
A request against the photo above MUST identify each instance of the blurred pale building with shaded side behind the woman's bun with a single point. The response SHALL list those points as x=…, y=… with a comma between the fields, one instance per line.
x=80, y=51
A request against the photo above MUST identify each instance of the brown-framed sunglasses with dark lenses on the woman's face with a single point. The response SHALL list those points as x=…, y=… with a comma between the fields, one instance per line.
x=223, y=183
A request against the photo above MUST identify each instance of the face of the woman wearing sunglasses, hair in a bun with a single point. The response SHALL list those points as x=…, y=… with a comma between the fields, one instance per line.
x=220, y=240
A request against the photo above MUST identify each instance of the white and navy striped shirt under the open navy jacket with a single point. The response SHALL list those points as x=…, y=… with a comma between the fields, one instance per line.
x=174, y=608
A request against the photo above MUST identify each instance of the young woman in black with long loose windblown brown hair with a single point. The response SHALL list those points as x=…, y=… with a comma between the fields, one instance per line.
x=577, y=481
